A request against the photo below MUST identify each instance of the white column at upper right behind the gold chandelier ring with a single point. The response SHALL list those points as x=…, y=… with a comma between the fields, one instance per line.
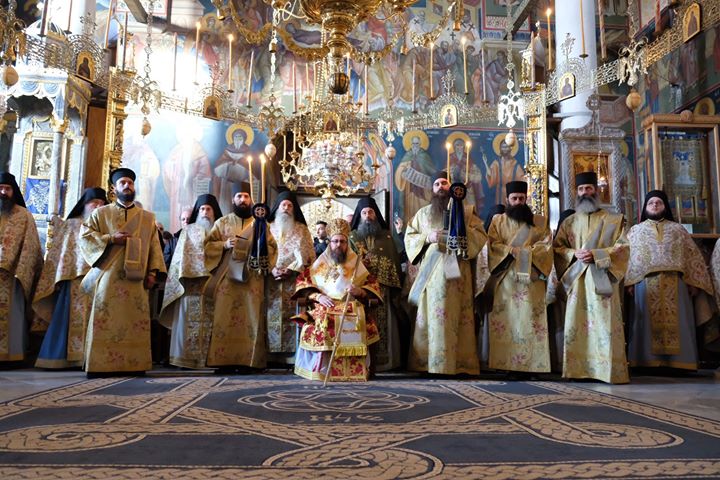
x=574, y=111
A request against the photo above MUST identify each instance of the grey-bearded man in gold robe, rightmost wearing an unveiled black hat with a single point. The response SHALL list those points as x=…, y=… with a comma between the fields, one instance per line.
x=591, y=256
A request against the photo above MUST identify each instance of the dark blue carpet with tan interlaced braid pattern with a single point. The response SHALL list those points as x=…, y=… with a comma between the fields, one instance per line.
x=278, y=426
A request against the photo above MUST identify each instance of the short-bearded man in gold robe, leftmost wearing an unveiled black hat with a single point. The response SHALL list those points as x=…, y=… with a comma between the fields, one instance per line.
x=120, y=241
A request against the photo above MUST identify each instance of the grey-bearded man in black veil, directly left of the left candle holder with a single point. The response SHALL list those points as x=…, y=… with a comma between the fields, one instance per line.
x=186, y=310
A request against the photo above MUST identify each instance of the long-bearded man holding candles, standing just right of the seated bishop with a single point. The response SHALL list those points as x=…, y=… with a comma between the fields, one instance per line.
x=444, y=339
